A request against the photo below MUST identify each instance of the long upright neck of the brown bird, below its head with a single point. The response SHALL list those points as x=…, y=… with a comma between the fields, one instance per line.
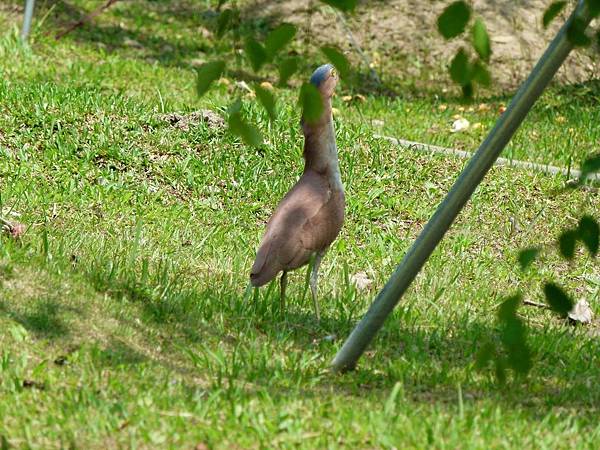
x=320, y=151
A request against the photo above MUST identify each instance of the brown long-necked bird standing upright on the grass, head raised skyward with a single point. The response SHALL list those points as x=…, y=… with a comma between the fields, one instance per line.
x=311, y=214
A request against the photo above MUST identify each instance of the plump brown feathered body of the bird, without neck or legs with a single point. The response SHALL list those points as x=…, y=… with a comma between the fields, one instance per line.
x=308, y=219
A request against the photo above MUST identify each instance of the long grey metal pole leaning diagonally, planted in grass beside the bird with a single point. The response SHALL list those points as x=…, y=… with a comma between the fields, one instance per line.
x=461, y=192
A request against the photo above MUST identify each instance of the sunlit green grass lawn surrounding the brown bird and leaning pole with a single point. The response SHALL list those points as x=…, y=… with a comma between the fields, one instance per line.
x=121, y=307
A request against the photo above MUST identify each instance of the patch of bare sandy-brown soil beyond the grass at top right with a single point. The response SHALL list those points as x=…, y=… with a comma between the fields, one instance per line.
x=401, y=40
